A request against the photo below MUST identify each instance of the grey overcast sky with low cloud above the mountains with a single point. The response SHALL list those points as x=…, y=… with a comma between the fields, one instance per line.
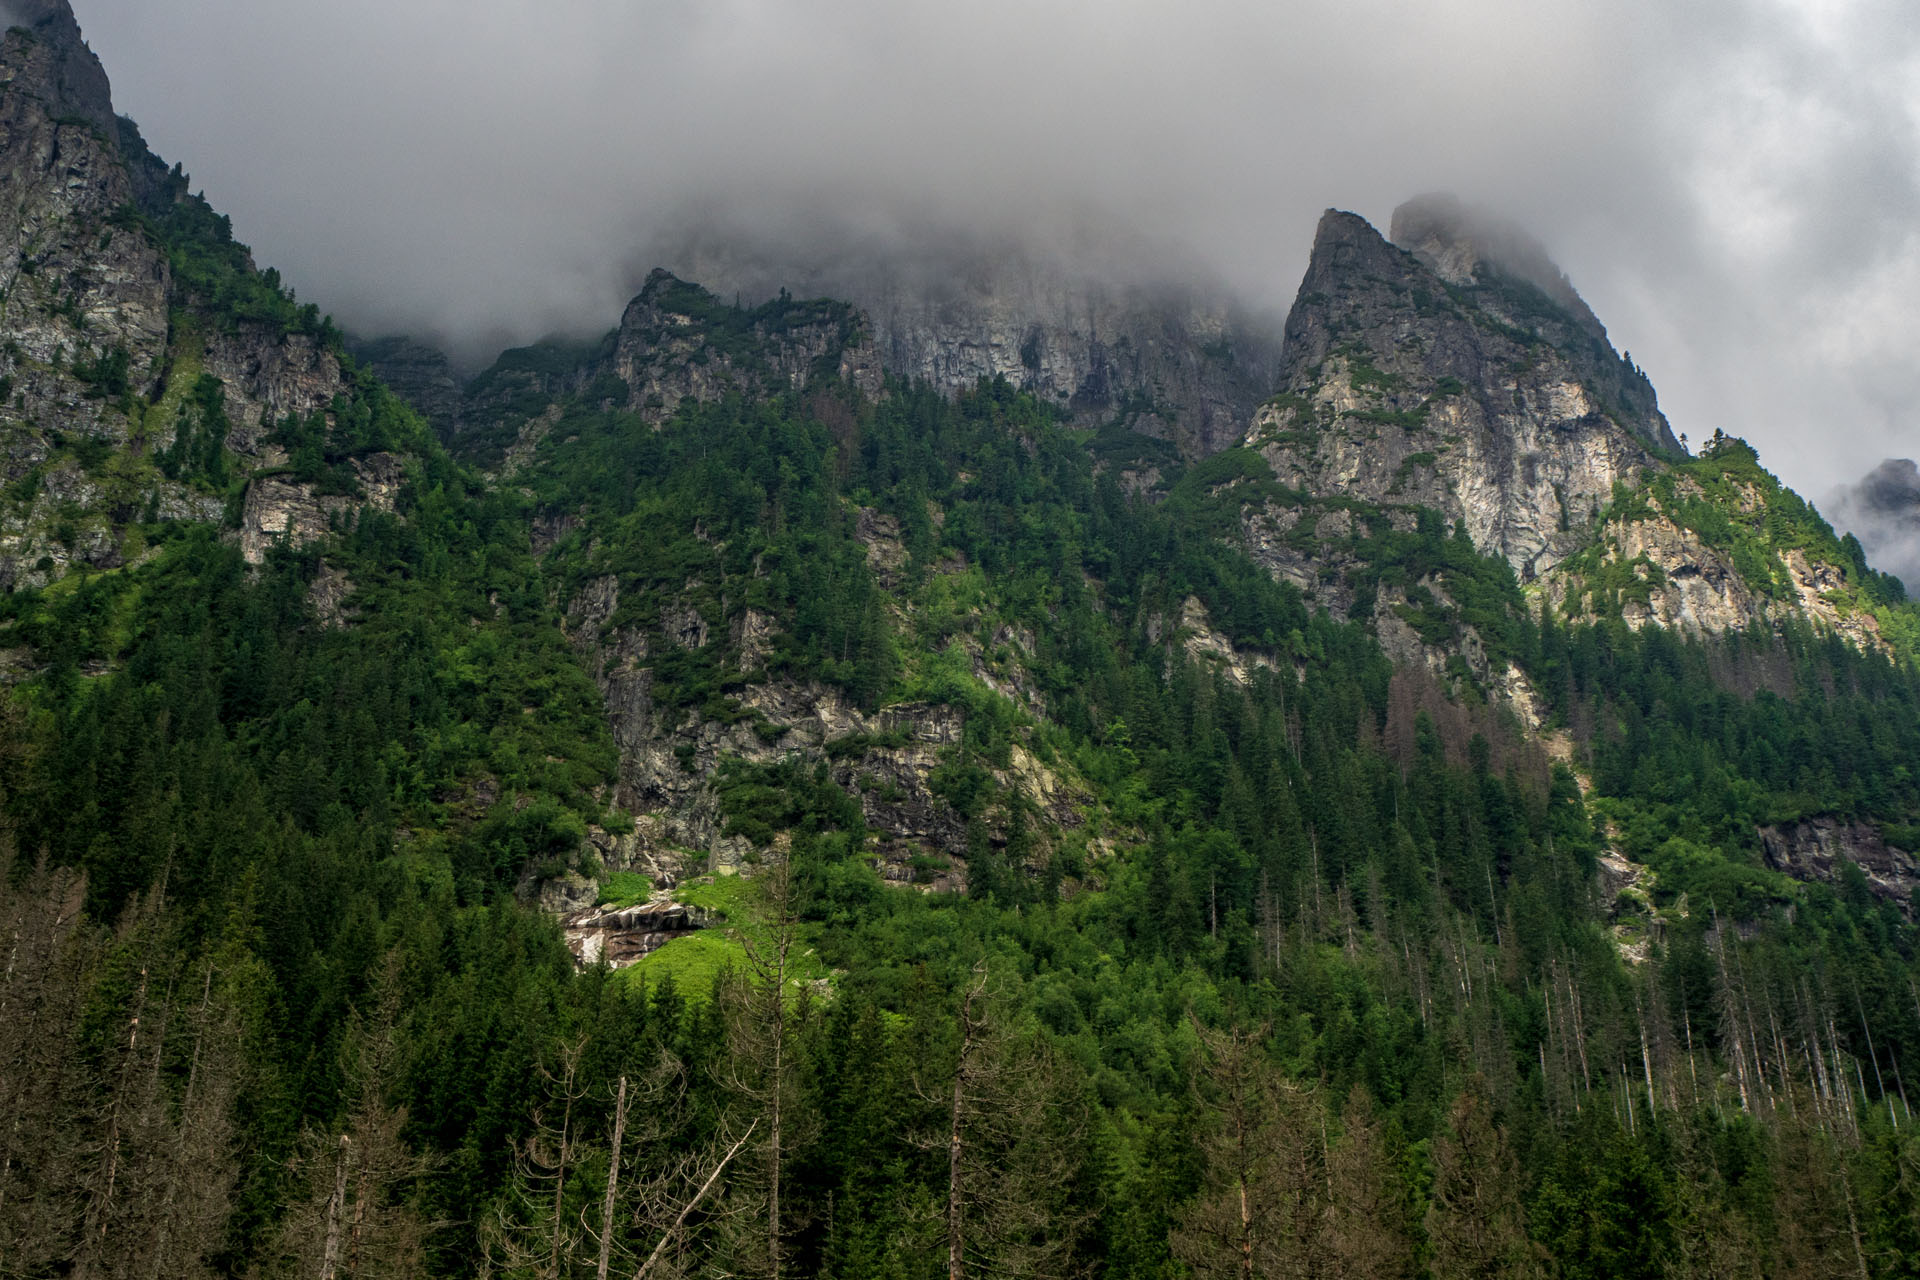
x=1735, y=185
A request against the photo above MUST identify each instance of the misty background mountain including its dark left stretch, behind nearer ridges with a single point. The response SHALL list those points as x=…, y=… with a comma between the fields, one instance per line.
x=1172, y=360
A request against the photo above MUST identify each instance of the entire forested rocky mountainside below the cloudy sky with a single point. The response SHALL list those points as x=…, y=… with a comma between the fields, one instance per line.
x=727, y=795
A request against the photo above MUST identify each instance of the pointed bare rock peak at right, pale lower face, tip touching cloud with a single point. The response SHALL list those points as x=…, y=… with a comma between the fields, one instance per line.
x=1445, y=377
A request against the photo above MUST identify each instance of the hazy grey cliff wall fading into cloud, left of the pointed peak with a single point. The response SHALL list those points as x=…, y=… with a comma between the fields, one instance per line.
x=1174, y=360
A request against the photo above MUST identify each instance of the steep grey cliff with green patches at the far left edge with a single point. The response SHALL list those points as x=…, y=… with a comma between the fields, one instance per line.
x=101, y=348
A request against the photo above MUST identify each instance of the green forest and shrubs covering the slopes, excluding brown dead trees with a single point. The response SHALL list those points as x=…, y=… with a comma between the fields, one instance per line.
x=1387, y=884
